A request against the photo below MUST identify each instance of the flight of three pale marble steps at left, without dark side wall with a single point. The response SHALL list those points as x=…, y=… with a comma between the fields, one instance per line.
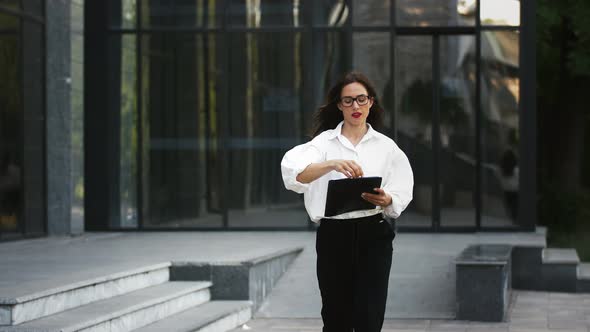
x=123, y=302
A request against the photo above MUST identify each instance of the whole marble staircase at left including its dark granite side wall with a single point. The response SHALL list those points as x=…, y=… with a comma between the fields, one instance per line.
x=169, y=296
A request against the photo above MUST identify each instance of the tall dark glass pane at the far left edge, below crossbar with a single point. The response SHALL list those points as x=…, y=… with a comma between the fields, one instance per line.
x=10, y=133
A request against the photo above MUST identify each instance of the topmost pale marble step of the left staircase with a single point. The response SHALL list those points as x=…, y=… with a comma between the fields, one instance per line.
x=32, y=306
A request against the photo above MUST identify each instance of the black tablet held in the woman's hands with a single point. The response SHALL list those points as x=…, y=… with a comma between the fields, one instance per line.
x=344, y=195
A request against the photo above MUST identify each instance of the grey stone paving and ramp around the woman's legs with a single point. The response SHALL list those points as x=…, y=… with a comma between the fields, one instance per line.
x=422, y=284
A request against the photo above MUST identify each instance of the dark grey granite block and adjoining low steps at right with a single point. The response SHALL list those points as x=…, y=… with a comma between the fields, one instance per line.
x=486, y=274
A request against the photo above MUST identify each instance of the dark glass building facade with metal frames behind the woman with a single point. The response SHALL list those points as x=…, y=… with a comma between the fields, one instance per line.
x=174, y=115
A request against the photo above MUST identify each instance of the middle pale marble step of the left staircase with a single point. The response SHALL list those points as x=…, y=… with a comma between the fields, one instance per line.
x=125, y=312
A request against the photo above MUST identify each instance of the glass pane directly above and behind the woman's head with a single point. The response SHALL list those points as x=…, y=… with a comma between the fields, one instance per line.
x=371, y=57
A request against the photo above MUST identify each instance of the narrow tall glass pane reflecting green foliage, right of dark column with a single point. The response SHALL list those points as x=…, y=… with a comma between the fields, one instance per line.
x=123, y=97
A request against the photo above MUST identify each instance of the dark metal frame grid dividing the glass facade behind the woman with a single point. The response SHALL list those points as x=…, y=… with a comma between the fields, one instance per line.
x=307, y=30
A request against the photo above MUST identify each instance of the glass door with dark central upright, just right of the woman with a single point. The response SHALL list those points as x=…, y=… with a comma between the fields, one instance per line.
x=435, y=121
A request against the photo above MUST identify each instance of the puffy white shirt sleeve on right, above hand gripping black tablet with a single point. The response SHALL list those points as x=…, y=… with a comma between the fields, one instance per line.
x=399, y=184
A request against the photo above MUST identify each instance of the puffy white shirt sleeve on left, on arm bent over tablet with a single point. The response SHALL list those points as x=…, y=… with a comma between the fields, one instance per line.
x=295, y=161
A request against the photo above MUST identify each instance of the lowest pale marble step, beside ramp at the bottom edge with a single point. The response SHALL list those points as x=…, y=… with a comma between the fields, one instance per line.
x=214, y=316
